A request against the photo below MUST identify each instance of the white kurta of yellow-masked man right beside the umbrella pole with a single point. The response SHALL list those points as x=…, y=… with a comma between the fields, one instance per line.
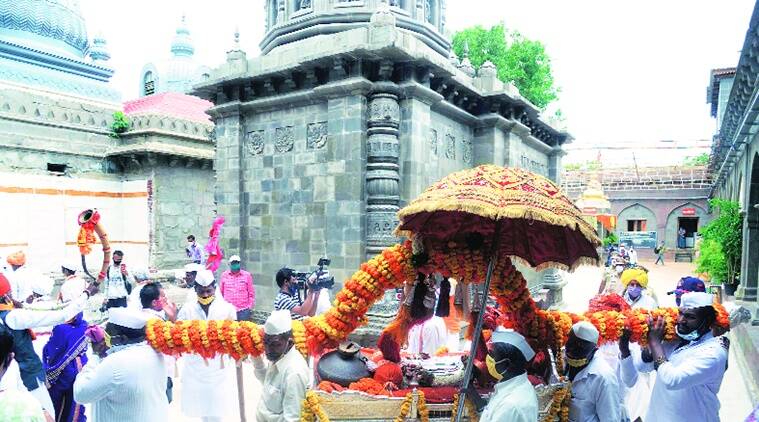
x=512, y=401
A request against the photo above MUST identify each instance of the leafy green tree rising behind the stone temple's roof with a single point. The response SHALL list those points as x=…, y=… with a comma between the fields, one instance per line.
x=519, y=60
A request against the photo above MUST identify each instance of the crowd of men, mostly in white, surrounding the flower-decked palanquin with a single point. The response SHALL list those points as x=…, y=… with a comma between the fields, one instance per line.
x=122, y=378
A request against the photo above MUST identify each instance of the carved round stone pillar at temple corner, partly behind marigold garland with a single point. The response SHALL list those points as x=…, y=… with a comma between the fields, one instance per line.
x=383, y=191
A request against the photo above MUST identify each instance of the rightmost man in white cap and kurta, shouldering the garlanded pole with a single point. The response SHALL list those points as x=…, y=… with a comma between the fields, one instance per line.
x=689, y=371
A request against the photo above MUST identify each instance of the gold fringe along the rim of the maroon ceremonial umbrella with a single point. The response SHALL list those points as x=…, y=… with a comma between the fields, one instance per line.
x=512, y=212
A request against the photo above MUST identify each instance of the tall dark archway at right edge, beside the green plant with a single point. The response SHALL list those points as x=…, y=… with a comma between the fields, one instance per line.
x=750, y=257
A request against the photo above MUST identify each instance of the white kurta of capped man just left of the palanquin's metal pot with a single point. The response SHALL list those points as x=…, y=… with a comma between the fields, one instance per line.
x=284, y=384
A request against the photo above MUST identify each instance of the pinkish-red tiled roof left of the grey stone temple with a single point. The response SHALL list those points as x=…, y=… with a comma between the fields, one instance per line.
x=171, y=104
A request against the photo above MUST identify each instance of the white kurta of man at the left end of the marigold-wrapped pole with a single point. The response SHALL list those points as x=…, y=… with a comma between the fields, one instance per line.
x=128, y=385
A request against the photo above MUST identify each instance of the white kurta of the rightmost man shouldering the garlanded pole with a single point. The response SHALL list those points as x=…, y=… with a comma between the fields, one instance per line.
x=686, y=386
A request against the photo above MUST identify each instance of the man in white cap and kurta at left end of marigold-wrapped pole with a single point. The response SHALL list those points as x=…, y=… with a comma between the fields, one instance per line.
x=129, y=384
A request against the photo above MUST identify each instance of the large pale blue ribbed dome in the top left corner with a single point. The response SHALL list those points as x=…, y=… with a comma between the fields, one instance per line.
x=54, y=26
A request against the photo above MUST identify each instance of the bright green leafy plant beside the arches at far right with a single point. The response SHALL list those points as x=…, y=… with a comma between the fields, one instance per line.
x=722, y=242
